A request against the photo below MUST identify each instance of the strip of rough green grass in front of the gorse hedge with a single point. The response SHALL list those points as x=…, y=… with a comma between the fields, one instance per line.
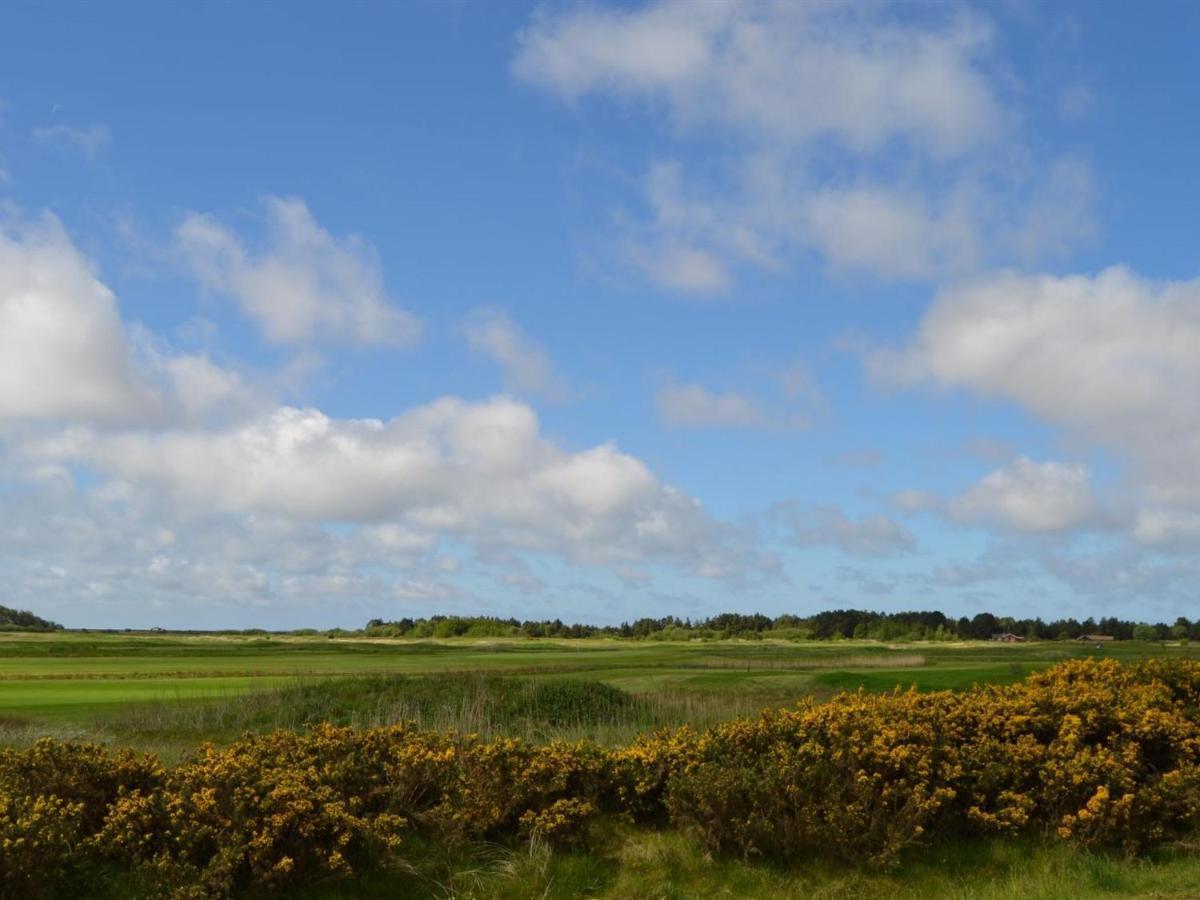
x=639, y=863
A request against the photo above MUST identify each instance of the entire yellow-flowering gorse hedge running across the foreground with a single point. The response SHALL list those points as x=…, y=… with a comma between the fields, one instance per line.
x=1097, y=753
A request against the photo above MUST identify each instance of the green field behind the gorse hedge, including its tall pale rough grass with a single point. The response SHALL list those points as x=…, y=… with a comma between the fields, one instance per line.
x=116, y=687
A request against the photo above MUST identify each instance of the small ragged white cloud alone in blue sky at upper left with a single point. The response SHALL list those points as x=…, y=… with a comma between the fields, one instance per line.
x=305, y=286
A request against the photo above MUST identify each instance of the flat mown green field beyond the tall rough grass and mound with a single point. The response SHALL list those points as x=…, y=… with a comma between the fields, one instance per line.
x=70, y=680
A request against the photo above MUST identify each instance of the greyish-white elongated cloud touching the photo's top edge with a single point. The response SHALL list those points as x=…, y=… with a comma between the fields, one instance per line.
x=789, y=73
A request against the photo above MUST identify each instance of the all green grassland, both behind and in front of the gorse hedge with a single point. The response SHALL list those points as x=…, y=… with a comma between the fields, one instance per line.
x=167, y=694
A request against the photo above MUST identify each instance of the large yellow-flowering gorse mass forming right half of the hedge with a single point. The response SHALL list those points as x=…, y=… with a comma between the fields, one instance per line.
x=1094, y=752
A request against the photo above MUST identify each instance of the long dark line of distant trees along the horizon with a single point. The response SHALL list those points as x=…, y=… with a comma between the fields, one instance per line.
x=835, y=625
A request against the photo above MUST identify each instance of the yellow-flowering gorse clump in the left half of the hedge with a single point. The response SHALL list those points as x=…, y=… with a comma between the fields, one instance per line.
x=289, y=808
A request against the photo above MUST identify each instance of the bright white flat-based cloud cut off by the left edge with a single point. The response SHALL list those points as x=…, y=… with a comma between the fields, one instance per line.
x=64, y=351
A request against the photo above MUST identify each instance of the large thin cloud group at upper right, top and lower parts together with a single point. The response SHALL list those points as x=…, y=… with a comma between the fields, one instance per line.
x=880, y=141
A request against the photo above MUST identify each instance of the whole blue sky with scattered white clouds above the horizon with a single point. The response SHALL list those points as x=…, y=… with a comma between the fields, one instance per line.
x=314, y=314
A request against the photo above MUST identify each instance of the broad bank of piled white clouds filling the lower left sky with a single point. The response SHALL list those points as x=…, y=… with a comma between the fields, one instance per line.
x=200, y=491
